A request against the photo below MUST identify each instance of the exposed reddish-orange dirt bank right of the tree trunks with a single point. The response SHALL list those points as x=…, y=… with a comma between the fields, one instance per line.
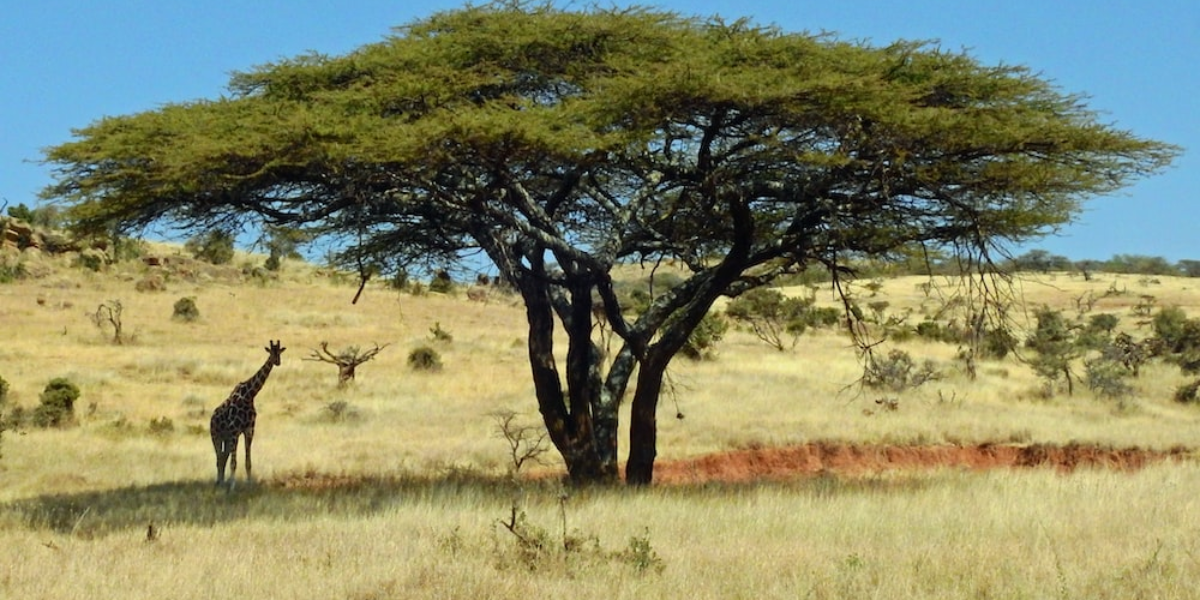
x=809, y=460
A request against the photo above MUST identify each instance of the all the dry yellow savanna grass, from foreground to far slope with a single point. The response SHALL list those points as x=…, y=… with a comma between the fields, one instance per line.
x=397, y=487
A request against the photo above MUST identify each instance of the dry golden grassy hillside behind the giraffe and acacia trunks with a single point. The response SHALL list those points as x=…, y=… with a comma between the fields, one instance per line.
x=170, y=375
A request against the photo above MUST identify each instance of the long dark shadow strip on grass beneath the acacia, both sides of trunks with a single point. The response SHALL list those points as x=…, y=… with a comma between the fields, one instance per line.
x=298, y=497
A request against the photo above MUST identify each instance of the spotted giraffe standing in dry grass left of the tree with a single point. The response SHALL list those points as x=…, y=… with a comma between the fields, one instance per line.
x=236, y=417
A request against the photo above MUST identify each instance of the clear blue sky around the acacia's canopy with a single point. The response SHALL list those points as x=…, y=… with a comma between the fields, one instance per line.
x=67, y=64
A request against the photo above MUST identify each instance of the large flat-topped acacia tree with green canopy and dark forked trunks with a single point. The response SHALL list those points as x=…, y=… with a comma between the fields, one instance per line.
x=562, y=143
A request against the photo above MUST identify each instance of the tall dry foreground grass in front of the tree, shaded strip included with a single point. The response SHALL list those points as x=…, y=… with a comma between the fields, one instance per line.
x=950, y=535
